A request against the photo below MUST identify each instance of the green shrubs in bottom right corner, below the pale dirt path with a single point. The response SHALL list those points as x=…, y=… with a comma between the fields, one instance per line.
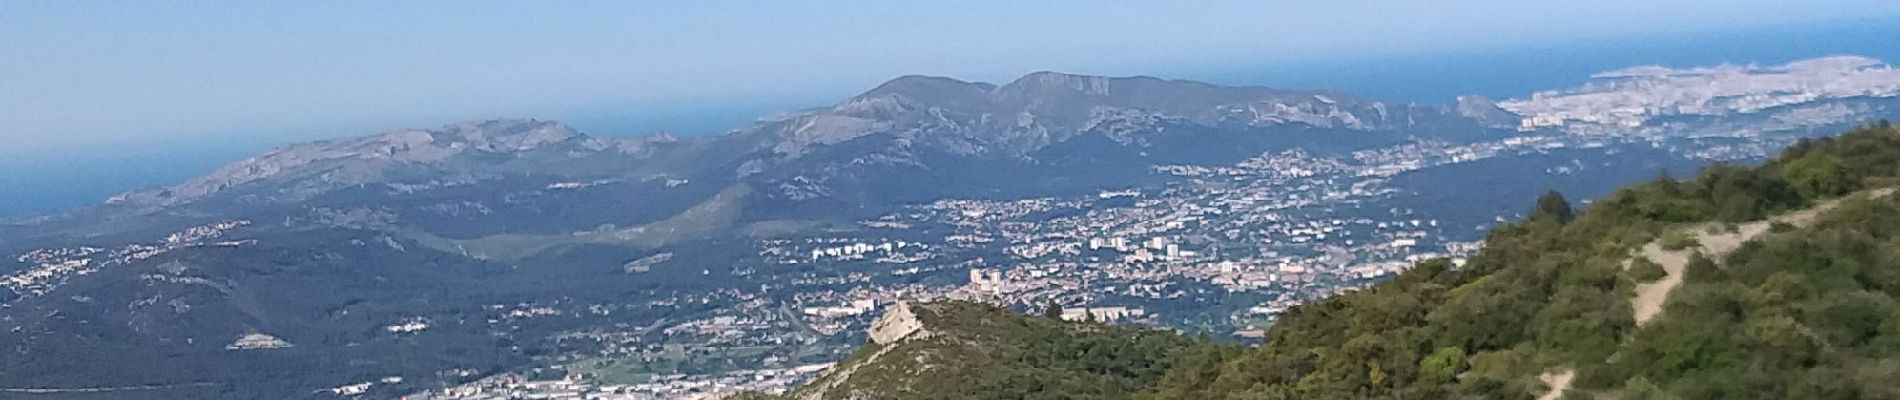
x=1806, y=314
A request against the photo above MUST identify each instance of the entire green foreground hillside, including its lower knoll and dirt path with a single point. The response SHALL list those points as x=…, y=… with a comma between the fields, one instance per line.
x=1774, y=282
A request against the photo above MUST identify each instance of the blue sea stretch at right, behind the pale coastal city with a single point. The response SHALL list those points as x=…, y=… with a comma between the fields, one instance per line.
x=1508, y=73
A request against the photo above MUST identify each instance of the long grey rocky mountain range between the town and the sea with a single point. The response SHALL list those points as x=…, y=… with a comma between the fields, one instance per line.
x=913, y=122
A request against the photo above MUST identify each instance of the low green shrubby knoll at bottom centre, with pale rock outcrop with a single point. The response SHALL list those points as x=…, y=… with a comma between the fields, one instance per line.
x=983, y=352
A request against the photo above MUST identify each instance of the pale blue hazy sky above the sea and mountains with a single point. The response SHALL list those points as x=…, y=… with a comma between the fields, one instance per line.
x=136, y=73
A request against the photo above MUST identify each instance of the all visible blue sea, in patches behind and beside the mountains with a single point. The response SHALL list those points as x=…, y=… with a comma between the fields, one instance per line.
x=54, y=183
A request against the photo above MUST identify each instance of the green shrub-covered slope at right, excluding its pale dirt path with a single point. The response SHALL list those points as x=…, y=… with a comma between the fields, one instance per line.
x=1804, y=314
